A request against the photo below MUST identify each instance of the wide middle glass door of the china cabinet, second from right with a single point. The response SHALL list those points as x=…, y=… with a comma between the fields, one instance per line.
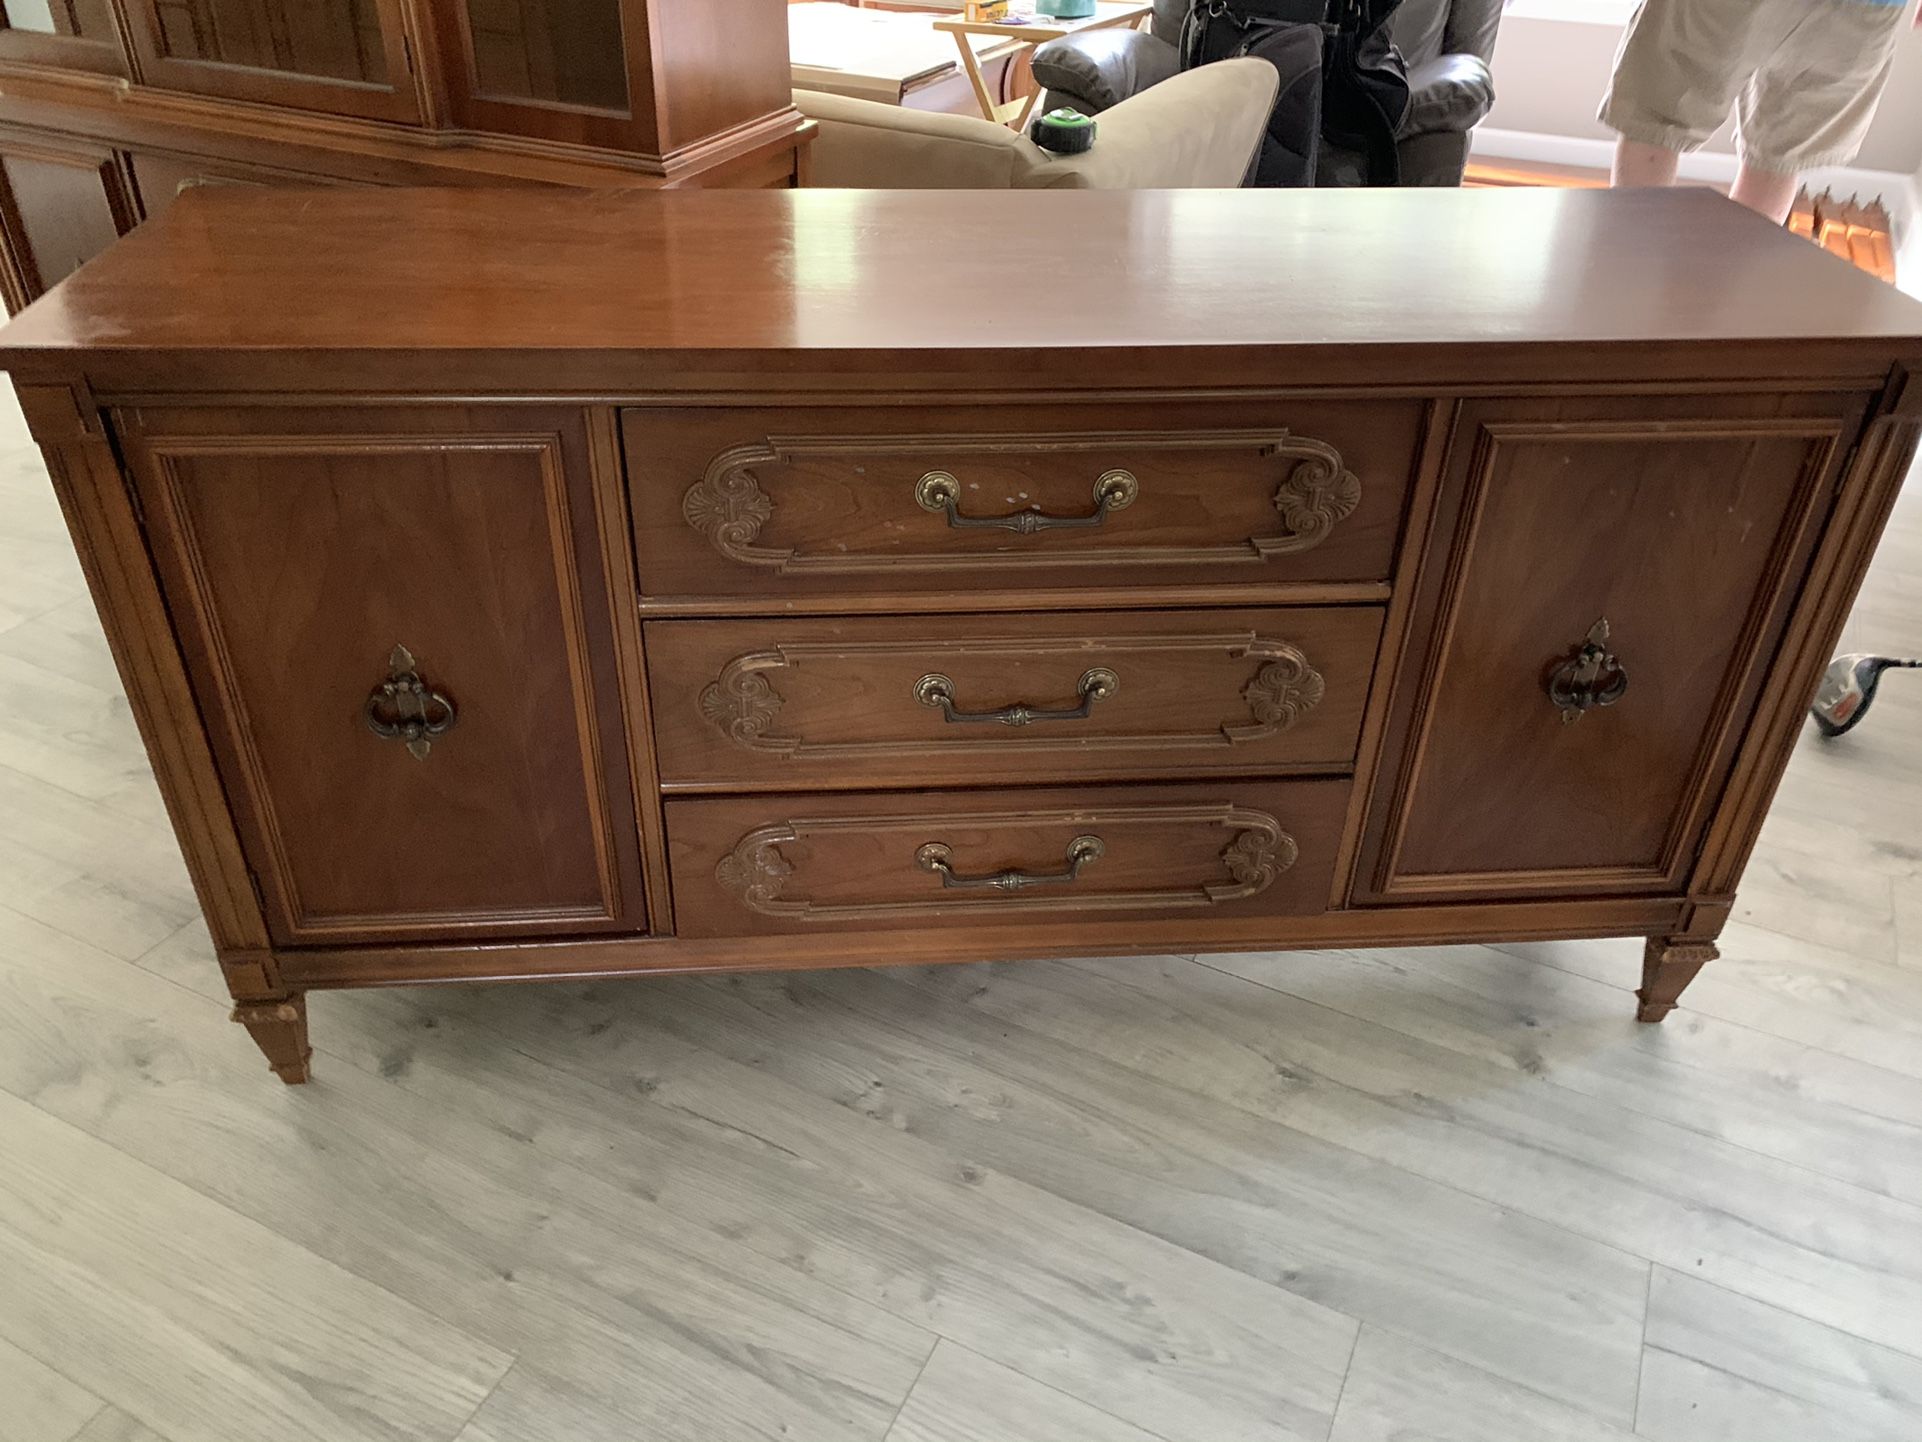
x=343, y=57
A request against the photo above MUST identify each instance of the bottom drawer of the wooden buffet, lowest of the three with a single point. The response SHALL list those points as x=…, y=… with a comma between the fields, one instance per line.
x=787, y=864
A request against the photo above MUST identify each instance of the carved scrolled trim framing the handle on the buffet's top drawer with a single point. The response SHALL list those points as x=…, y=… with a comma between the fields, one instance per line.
x=1314, y=493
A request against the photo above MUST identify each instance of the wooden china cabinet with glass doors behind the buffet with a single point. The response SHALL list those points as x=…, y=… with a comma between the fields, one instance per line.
x=109, y=107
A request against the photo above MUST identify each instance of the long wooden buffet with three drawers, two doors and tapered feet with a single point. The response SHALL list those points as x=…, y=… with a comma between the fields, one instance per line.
x=639, y=584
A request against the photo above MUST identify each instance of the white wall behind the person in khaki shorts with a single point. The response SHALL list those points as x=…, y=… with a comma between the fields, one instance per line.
x=1550, y=76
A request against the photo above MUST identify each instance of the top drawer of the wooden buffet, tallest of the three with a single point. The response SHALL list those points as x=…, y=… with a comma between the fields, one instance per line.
x=1047, y=499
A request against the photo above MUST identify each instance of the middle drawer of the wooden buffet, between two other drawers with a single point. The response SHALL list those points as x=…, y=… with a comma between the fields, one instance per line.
x=933, y=701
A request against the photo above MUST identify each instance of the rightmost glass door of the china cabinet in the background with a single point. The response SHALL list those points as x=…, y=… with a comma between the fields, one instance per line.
x=549, y=68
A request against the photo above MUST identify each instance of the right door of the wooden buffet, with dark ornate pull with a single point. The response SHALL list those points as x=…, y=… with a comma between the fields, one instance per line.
x=1683, y=526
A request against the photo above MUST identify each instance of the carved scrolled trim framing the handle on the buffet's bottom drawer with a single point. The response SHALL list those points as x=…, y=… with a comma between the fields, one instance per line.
x=1258, y=851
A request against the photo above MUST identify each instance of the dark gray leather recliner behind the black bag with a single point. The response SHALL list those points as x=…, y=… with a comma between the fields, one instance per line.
x=1448, y=47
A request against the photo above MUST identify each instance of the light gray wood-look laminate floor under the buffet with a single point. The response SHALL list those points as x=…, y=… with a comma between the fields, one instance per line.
x=1392, y=1195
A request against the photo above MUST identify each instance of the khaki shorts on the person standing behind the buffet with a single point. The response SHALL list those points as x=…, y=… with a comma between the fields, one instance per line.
x=1804, y=76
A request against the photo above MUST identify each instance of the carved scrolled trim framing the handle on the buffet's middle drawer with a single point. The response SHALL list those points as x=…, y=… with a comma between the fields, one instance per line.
x=745, y=707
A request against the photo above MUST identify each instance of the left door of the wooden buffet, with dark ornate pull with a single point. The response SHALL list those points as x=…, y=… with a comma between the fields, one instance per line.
x=299, y=553
